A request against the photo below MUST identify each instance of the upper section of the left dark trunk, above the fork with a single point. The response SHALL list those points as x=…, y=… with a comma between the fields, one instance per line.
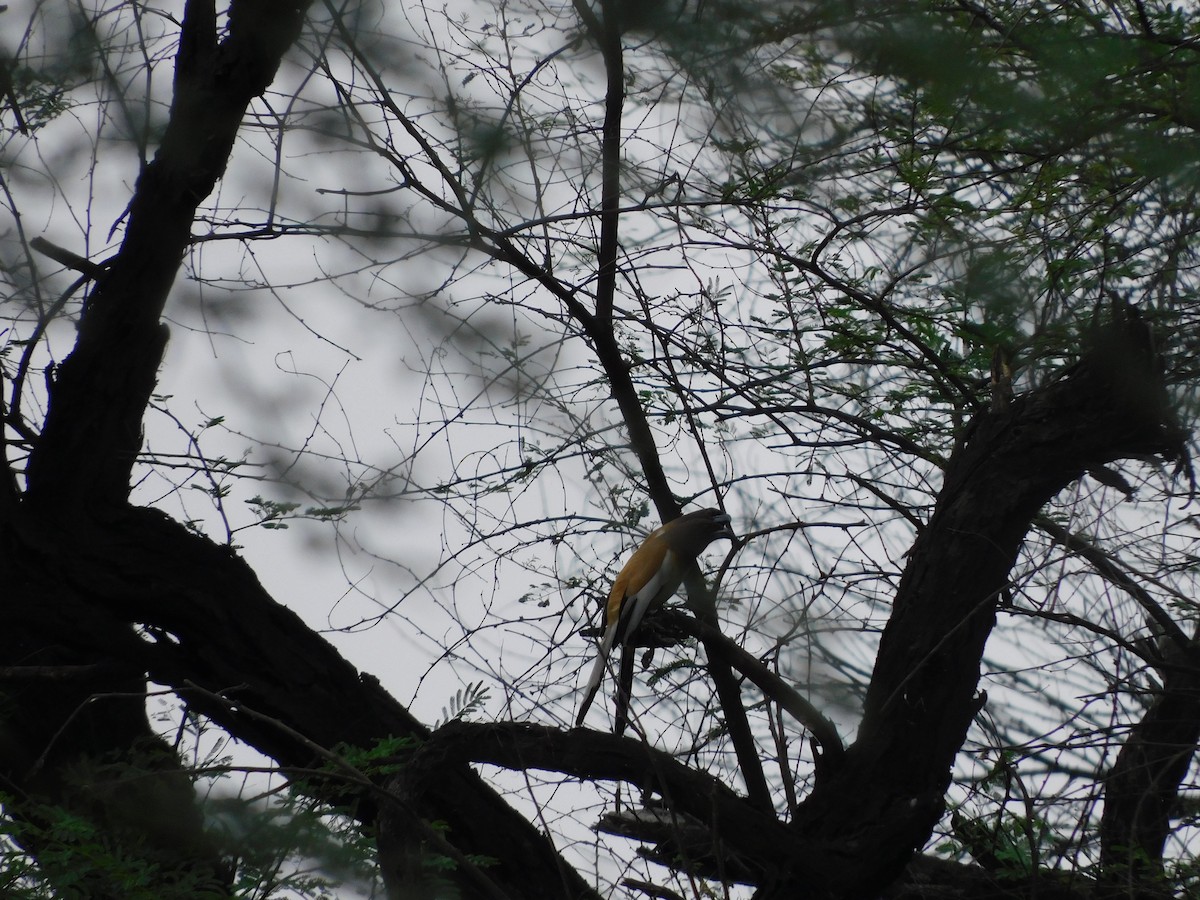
x=93, y=430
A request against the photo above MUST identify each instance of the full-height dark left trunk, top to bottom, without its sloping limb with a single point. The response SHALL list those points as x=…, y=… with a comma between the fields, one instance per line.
x=87, y=745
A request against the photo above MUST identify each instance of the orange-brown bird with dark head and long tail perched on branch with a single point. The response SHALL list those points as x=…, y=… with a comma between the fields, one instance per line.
x=649, y=580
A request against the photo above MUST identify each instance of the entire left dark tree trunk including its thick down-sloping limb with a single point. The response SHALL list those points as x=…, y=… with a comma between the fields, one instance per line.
x=98, y=589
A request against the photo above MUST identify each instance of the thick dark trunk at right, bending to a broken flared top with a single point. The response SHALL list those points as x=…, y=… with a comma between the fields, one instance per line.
x=881, y=803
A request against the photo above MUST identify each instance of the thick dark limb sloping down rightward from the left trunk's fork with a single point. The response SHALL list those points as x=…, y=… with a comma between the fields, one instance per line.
x=250, y=664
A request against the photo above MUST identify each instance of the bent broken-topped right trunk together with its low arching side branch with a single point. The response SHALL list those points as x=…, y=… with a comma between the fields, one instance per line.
x=879, y=802
